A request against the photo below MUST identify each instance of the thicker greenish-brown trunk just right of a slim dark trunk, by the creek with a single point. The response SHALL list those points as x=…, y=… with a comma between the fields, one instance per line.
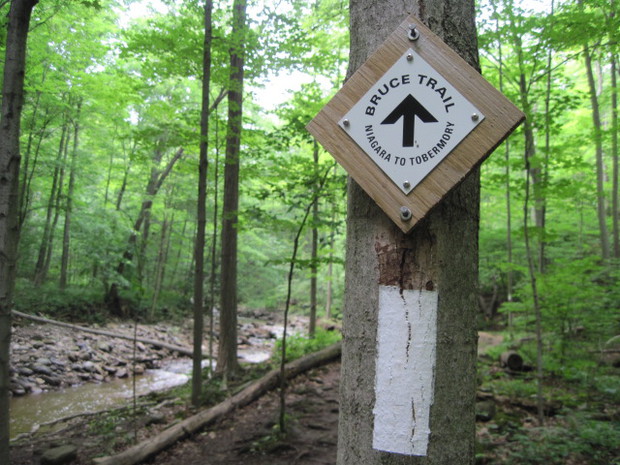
x=227, y=356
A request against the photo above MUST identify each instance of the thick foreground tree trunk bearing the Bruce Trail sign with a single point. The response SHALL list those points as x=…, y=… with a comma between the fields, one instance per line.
x=438, y=258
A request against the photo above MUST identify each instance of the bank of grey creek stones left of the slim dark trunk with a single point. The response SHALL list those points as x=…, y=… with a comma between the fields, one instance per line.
x=48, y=357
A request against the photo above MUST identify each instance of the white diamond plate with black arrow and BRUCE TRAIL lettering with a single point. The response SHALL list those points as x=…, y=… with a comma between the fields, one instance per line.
x=410, y=120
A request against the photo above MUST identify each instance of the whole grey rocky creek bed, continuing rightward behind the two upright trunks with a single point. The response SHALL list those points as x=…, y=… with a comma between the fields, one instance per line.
x=47, y=357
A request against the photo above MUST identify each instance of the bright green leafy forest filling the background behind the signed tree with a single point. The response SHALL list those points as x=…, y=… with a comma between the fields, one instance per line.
x=166, y=174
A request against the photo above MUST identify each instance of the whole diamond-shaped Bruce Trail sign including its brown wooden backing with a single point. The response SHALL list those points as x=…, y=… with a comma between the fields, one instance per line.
x=412, y=122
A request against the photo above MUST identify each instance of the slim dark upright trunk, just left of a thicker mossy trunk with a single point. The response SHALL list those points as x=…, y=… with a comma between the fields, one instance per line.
x=199, y=249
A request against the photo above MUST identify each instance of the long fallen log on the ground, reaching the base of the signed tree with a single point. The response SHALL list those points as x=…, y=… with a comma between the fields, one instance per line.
x=193, y=424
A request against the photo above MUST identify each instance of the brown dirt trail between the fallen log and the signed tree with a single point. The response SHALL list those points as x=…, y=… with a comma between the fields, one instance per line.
x=249, y=436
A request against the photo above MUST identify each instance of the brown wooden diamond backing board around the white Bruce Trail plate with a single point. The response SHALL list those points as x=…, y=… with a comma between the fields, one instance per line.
x=501, y=118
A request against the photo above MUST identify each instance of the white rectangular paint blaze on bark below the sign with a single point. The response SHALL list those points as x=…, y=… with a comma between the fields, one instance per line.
x=405, y=373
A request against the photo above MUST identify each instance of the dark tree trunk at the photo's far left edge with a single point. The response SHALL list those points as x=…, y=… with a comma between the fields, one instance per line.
x=12, y=102
